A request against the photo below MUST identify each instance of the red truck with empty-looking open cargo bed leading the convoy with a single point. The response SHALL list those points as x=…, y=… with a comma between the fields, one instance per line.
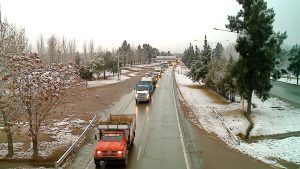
x=116, y=136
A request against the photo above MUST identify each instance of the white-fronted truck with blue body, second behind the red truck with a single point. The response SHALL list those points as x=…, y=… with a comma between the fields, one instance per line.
x=144, y=90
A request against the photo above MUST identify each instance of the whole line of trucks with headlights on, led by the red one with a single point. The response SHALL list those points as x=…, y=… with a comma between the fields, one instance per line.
x=116, y=134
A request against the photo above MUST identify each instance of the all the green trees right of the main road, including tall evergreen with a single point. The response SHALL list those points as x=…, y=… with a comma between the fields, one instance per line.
x=260, y=56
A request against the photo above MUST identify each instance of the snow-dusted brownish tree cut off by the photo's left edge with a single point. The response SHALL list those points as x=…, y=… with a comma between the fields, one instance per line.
x=12, y=41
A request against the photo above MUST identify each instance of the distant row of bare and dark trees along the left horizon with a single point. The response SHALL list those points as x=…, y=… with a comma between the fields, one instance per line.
x=56, y=50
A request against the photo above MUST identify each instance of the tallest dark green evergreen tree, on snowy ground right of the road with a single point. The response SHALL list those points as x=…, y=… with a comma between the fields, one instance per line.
x=257, y=44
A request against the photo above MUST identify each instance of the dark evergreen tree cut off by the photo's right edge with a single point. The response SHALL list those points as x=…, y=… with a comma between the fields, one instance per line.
x=294, y=58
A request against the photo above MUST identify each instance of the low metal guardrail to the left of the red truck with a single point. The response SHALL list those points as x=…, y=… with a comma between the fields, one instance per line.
x=65, y=155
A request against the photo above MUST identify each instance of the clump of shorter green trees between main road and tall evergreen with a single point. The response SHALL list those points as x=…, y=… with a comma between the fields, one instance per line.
x=211, y=67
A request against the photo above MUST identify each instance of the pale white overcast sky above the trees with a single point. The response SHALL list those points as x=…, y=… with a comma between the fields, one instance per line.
x=164, y=24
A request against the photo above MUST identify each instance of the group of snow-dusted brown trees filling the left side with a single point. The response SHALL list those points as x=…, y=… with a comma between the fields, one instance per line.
x=31, y=89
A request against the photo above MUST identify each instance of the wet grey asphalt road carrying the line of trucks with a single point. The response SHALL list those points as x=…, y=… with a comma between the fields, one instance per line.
x=165, y=139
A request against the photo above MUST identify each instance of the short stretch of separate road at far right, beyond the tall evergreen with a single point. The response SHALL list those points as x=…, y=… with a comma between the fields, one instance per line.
x=289, y=92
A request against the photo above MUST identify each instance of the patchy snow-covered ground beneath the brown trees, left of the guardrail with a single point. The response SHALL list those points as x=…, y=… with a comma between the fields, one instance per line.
x=61, y=138
